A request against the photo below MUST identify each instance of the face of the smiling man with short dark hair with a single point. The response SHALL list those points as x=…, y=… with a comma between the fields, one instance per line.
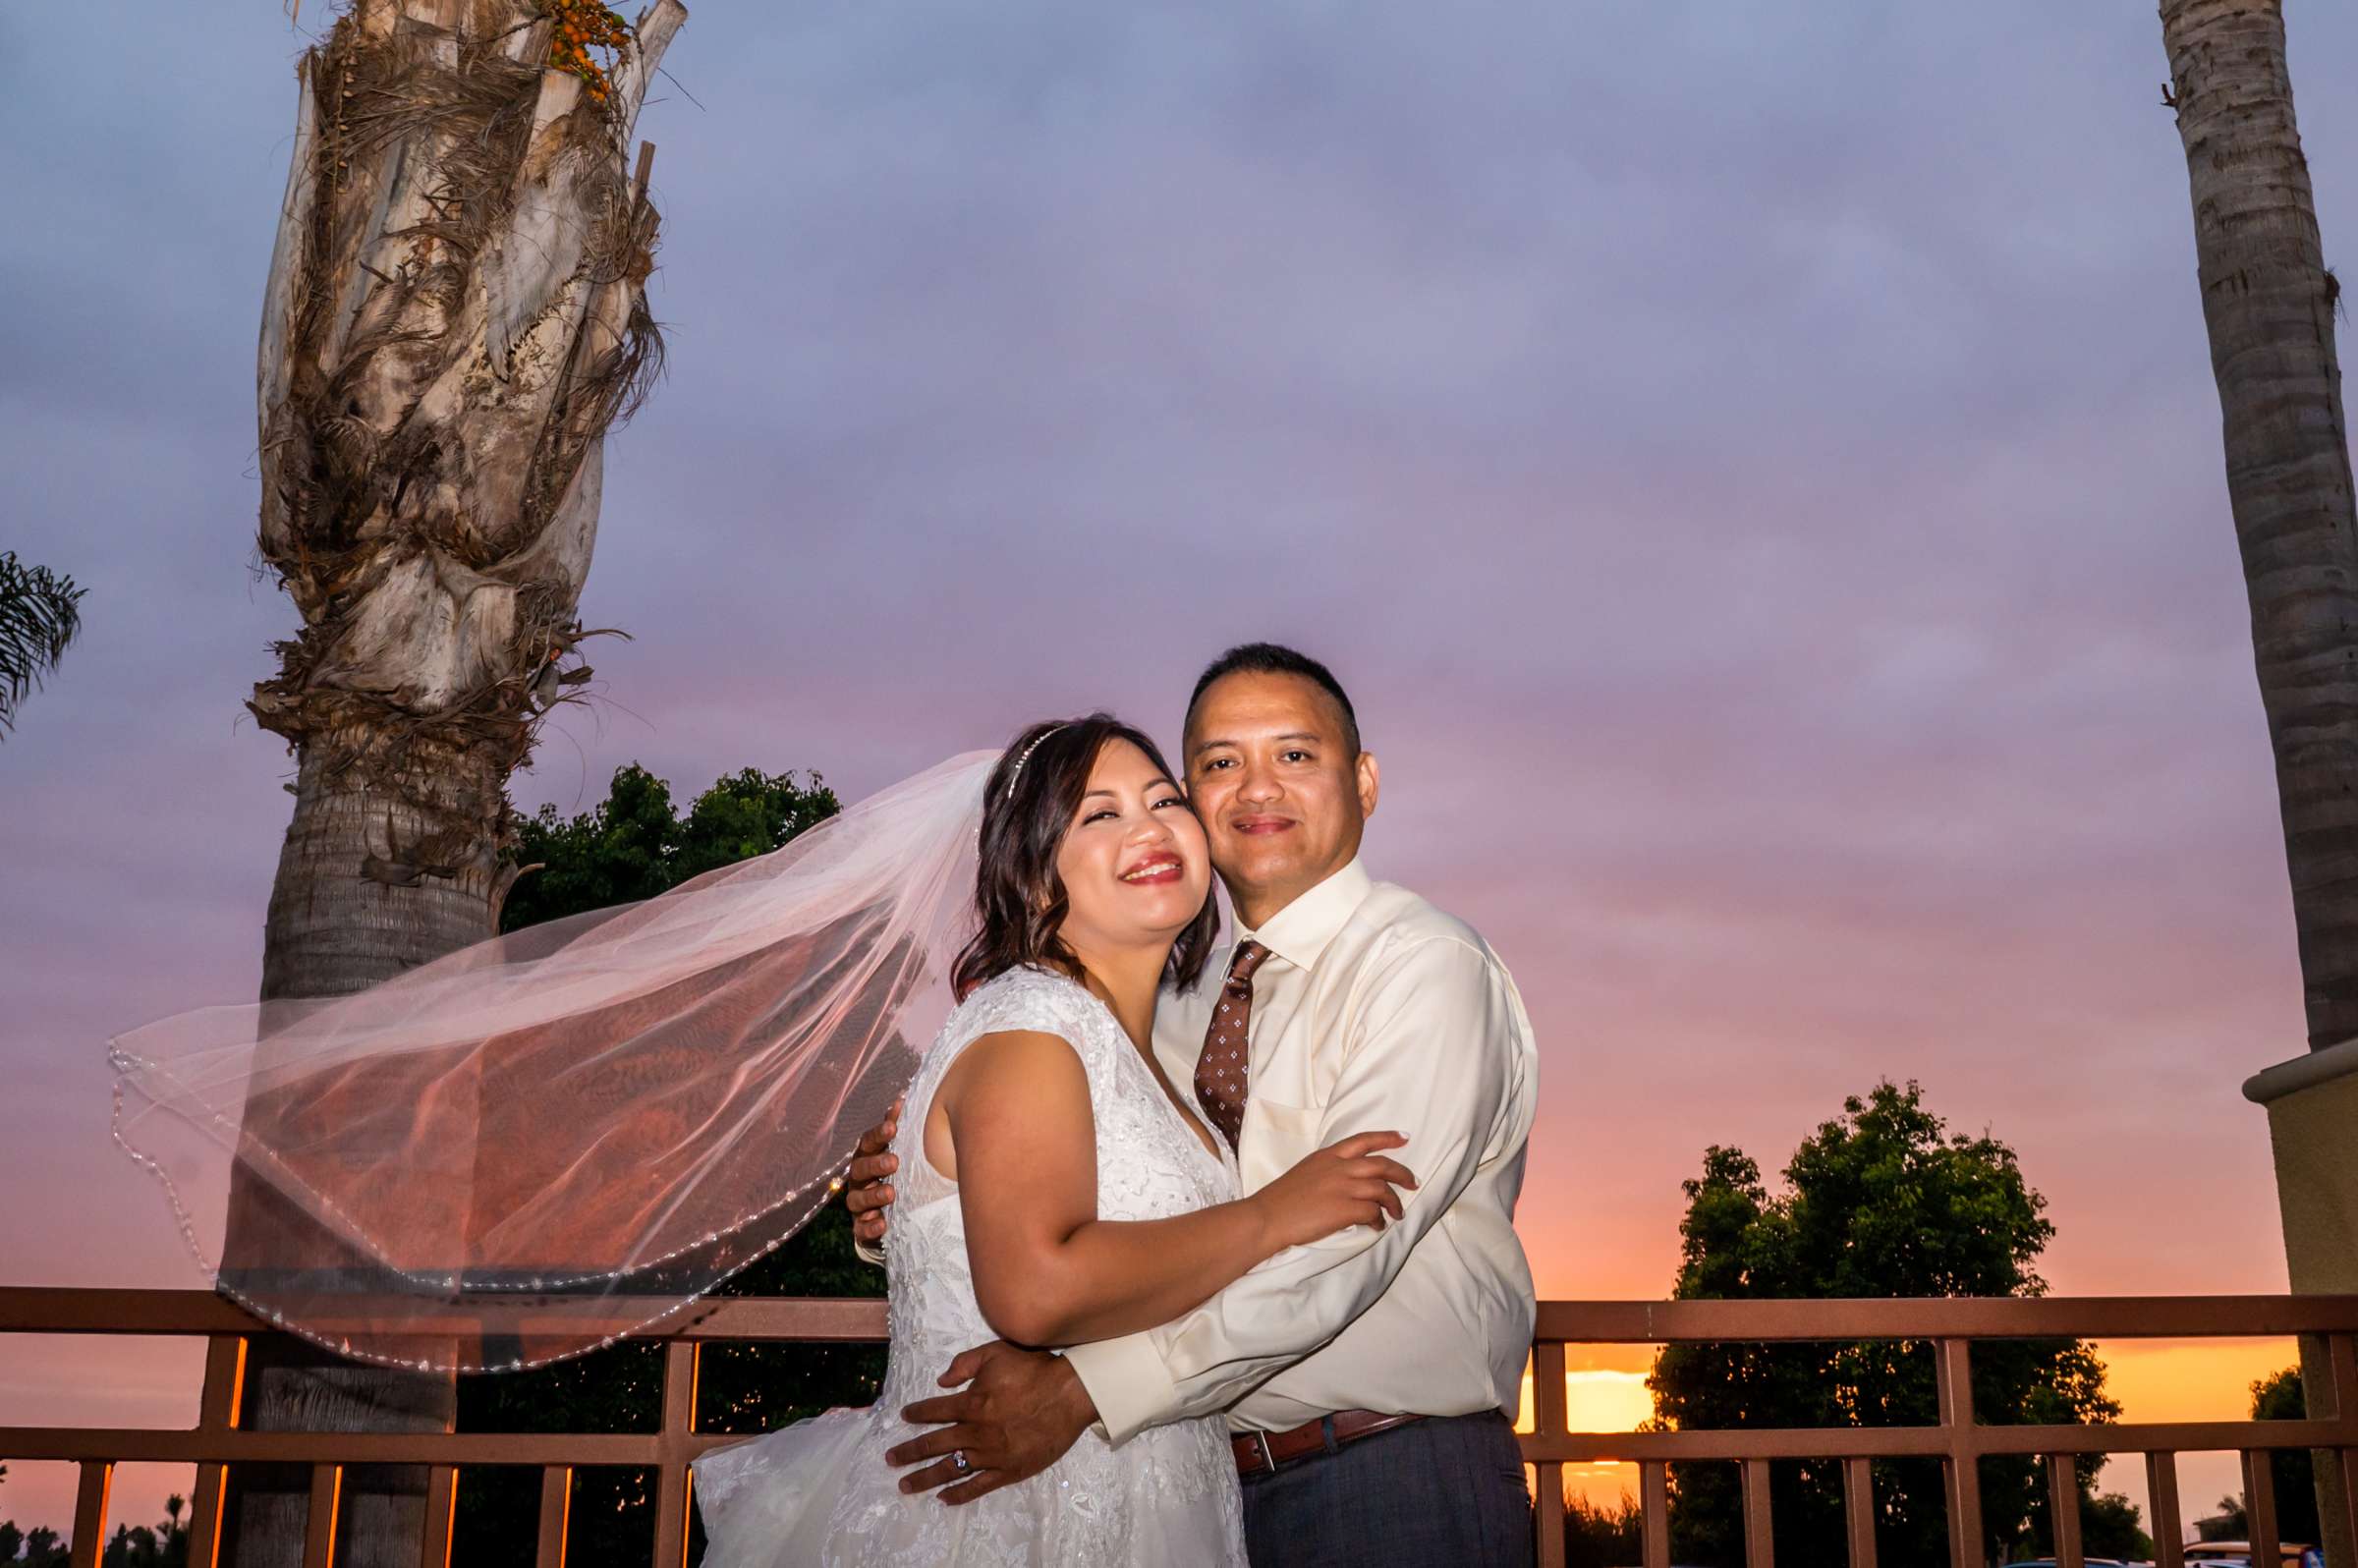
x=1282, y=796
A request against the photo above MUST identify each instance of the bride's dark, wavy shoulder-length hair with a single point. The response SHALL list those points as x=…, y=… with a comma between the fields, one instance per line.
x=1027, y=810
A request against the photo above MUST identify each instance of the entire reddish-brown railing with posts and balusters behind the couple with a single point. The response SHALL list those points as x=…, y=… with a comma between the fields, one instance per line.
x=1949, y=1326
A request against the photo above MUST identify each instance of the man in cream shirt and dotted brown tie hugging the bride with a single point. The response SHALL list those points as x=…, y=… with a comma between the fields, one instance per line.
x=1369, y=1378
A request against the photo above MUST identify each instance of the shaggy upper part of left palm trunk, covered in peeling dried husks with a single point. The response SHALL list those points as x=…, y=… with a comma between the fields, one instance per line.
x=456, y=319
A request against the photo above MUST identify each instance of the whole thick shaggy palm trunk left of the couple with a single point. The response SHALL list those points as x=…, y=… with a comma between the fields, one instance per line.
x=456, y=317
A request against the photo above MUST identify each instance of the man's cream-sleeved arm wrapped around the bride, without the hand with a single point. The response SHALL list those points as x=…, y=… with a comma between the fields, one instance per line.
x=1435, y=1053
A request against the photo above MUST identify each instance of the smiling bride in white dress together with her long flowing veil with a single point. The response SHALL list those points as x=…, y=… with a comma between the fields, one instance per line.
x=560, y=1138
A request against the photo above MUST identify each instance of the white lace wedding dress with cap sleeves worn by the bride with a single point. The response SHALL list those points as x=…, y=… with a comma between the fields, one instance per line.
x=819, y=1494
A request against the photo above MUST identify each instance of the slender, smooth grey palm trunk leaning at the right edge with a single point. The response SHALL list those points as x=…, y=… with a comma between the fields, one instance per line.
x=2270, y=305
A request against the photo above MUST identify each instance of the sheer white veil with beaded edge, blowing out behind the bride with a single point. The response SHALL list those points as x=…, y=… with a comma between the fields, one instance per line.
x=560, y=1138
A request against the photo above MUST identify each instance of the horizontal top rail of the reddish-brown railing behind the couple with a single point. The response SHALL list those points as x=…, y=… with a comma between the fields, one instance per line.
x=48, y=1310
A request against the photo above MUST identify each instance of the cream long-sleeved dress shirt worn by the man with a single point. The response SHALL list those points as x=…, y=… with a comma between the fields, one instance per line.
x=1374, y=1013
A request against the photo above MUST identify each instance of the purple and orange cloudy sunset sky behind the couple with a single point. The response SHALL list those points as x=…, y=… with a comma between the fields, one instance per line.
x=1756, y=468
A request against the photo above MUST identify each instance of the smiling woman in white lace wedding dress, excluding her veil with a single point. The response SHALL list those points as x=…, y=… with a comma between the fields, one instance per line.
x=1060, y=1190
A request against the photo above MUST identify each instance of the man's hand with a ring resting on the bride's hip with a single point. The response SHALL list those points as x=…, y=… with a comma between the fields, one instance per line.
x=1013, y=1418
